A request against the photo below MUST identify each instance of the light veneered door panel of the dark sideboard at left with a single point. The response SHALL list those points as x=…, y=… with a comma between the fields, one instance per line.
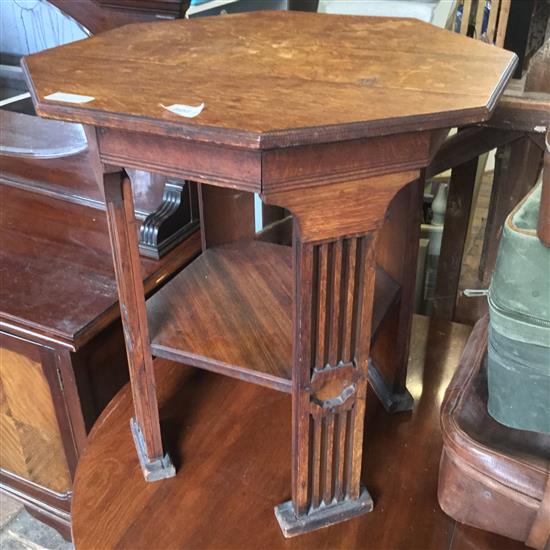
x=31, y=443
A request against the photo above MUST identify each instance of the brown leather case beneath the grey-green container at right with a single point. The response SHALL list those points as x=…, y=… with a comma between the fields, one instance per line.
x=491, y=477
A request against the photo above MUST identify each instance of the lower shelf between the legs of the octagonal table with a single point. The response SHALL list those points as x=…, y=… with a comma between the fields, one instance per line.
x=230, y=311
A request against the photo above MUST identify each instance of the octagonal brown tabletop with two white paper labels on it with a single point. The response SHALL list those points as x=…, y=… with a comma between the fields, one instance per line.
x=273, y=79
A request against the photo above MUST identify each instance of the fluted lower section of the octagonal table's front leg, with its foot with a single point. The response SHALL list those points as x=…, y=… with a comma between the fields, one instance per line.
x=334, y=295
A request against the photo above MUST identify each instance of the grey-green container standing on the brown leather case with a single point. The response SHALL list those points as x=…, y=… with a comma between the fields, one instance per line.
x=519, y=332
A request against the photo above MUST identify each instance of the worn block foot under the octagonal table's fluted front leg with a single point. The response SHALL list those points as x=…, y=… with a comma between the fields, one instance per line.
x=324, y=516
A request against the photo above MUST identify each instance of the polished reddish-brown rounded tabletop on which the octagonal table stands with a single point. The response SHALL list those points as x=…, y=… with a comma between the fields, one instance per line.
x=234, y=468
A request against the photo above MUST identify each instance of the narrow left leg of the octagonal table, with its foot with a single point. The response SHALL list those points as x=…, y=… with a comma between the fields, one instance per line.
x=124, y=244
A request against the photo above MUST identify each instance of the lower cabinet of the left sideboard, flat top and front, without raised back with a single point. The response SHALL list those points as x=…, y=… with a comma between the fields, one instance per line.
x=61, y=353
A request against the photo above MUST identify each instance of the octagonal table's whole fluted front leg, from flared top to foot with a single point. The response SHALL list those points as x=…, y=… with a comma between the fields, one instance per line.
x=335, y=236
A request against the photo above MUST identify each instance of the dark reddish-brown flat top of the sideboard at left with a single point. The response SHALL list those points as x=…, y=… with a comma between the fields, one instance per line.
x=79, y=297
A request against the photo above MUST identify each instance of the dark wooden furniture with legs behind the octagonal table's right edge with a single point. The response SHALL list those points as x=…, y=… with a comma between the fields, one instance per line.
x=517, y=130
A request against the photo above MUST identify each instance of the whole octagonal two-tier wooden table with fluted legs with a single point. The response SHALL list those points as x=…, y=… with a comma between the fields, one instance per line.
x=332, y=142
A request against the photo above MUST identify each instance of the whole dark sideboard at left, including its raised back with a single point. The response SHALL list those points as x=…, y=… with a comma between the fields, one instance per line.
x=62, y=355
